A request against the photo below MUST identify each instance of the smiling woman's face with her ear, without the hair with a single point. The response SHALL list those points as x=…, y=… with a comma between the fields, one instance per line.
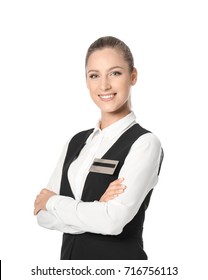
x=109, y=80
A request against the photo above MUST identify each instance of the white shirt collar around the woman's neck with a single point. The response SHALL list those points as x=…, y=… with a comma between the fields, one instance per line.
x=116, y=128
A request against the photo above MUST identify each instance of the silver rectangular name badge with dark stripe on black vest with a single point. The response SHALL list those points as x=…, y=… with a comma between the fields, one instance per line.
x=105, y=166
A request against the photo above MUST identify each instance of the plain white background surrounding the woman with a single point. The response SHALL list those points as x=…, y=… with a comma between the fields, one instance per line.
x=44, y=101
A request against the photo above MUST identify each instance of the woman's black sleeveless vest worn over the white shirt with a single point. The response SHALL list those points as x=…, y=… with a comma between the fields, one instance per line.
x=90, y=246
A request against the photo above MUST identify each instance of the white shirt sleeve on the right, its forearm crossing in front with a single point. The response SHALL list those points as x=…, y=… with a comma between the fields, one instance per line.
x=140, y=171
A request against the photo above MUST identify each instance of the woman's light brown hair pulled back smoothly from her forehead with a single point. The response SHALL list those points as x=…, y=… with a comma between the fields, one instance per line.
x=114, y=43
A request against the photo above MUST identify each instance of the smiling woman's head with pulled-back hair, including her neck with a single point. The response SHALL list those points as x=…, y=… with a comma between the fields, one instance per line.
x=110, y=75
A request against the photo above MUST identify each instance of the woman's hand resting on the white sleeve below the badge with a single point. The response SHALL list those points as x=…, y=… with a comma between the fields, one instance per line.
x=115, y=188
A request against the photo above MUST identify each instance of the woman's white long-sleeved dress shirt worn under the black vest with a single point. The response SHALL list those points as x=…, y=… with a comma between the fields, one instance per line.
x=140, y=173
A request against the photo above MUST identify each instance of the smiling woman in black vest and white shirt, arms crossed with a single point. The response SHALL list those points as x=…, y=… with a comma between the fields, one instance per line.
x=102, y=184
